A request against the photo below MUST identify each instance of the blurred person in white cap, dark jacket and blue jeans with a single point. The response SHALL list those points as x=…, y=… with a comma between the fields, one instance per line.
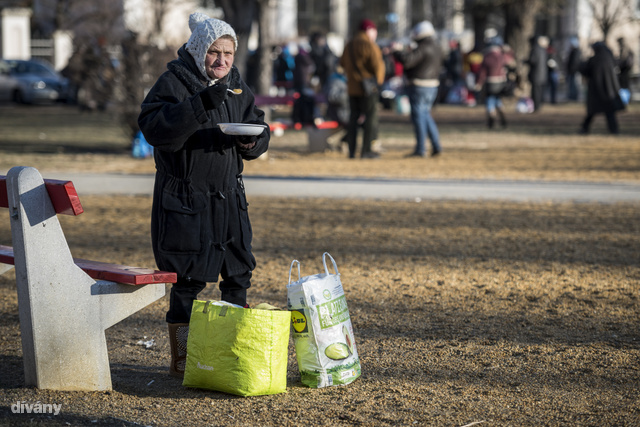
x=422, y=66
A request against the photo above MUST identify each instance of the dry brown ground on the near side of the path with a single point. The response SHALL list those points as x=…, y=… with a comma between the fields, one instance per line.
x=507, y=313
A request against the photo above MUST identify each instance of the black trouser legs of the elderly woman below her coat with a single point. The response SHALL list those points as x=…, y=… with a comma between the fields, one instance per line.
x=233, y=289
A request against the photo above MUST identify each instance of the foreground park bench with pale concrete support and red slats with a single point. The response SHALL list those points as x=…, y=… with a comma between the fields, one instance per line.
x=65, y=304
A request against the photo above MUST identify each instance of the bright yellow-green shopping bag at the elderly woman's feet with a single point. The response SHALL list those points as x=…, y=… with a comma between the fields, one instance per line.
x=237, y=350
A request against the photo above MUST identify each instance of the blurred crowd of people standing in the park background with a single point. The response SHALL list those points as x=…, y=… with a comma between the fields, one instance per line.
x=421, y=74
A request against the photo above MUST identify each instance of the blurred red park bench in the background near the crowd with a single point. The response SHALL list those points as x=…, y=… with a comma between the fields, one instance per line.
x=317, y=135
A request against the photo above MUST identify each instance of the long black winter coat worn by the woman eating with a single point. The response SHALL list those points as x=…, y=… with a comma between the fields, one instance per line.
x=199, y=216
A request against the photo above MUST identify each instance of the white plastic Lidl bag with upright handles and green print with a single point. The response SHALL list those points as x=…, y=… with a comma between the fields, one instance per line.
x=322, y=331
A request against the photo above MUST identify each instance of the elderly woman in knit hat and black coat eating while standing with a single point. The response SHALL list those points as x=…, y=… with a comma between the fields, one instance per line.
x=199, y=223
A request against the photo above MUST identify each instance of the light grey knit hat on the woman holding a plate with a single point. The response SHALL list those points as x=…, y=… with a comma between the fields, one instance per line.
x=204, y=31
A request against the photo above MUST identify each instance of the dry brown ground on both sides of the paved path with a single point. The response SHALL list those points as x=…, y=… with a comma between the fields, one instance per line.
x=464, y=312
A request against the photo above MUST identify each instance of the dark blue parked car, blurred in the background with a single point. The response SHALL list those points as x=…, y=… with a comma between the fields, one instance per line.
x=31, y=82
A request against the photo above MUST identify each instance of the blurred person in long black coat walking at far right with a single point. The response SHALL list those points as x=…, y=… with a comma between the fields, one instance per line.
x=602, y=87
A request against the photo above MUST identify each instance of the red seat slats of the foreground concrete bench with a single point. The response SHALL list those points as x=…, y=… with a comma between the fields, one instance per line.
x=111, y=272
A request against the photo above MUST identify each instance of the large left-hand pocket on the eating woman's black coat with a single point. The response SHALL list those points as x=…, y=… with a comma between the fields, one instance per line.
x=181, y=222
